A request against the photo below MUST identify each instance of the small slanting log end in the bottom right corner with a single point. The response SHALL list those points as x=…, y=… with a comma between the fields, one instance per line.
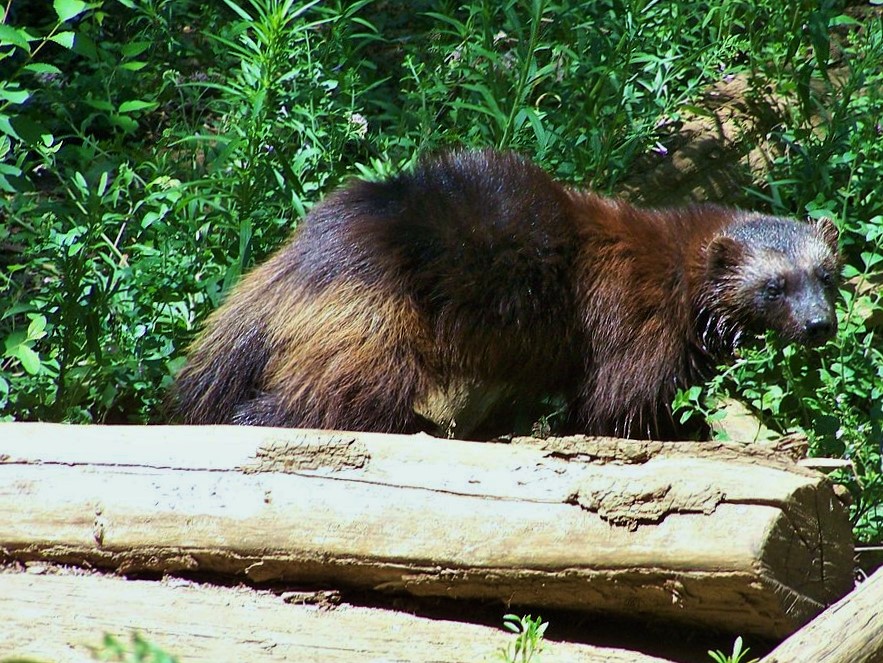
x=850, y=631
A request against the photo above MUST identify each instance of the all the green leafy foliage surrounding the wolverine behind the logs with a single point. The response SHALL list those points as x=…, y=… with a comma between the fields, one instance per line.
x=152, y=150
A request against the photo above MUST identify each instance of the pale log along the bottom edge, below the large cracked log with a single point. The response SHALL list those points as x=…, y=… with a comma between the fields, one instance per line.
x=56, y=618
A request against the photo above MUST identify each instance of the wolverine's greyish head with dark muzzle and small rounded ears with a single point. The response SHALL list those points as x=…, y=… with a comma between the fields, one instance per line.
x=775, y=273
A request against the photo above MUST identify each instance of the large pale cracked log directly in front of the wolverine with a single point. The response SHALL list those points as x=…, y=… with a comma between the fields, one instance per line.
x=729, y=536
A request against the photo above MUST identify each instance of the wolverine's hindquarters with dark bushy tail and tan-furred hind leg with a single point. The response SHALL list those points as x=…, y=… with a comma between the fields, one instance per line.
x=344, y=355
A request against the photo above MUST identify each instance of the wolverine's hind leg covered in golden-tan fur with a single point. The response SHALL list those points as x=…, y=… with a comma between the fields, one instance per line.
x=349, y=357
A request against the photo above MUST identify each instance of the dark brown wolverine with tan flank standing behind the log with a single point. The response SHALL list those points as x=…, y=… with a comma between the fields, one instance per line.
x=456, y=297
